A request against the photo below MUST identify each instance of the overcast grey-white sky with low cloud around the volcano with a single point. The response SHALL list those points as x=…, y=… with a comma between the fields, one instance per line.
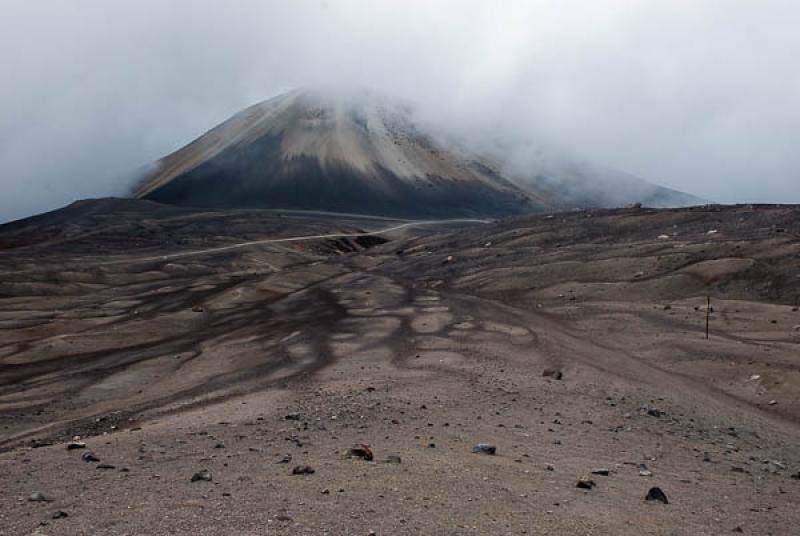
x=698, y=95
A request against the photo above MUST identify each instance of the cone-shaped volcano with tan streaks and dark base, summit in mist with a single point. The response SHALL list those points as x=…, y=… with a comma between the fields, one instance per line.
x=364, y=152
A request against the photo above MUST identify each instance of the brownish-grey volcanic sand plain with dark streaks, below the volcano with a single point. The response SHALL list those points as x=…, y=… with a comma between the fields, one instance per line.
x=168, y=367
